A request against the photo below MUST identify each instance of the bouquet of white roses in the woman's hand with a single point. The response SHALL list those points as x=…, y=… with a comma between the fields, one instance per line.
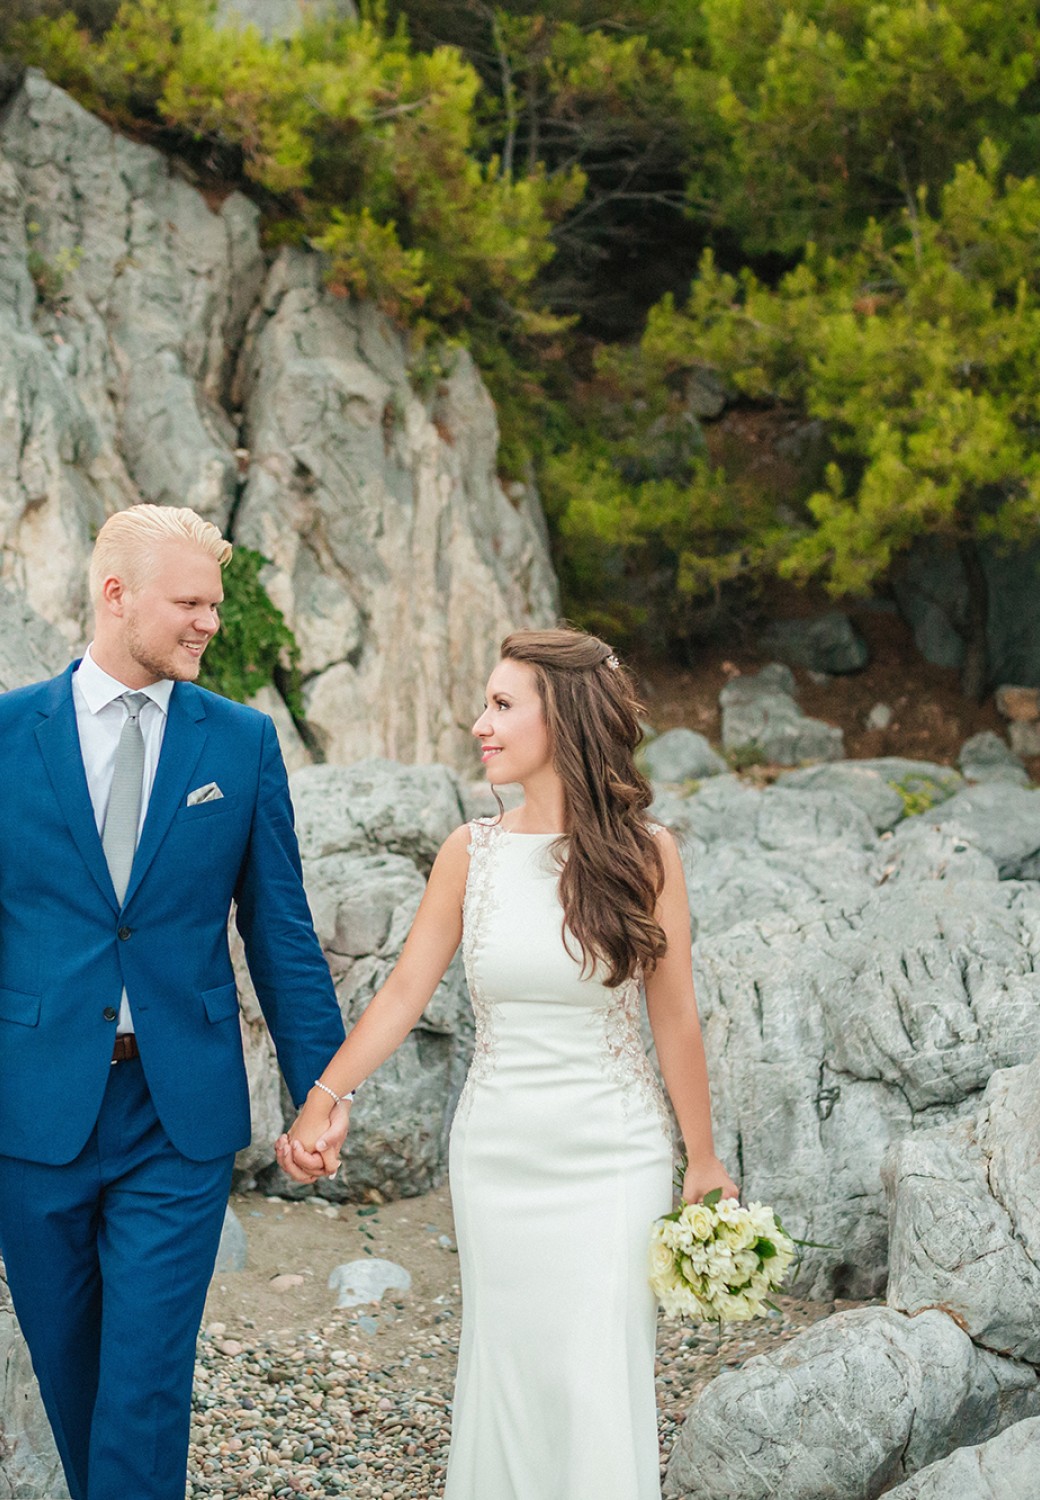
x=718, y=1261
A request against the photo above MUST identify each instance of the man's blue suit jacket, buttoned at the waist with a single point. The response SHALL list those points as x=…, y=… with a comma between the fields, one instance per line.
x=68, y=947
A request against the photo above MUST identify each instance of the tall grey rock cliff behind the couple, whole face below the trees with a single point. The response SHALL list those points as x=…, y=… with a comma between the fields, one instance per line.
x=127, y=374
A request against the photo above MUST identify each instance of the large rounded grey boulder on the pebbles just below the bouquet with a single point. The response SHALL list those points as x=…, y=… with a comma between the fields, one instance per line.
x=846, y=1409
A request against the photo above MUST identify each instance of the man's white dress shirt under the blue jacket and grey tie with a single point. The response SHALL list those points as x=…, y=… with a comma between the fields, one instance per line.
x=100, y=721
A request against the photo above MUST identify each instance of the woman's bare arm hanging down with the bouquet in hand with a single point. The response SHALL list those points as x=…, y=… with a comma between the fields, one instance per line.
x=678, y=1034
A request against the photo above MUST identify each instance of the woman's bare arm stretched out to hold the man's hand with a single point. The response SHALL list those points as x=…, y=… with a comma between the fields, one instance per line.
x=314, y=1139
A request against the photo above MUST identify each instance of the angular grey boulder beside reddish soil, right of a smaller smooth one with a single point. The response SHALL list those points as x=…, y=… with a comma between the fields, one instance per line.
x=762, y=716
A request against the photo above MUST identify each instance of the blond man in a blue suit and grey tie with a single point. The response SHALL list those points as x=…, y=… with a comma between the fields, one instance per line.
x=134, y=809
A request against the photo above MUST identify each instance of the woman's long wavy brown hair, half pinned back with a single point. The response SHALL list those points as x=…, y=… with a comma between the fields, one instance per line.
x=613, y=872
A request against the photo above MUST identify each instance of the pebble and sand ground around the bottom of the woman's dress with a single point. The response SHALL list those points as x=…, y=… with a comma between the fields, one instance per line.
x=359, y=1402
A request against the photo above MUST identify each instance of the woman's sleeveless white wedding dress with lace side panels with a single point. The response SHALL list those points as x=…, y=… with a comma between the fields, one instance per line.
x=561, y=1159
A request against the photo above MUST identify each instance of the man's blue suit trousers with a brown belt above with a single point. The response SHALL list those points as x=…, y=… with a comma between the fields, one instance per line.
x=109, y=1261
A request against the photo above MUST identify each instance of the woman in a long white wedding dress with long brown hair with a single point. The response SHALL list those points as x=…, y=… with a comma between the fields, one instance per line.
x=561, y=1156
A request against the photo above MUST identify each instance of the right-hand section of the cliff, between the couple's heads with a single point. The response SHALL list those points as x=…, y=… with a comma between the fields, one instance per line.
x=398, y=560
